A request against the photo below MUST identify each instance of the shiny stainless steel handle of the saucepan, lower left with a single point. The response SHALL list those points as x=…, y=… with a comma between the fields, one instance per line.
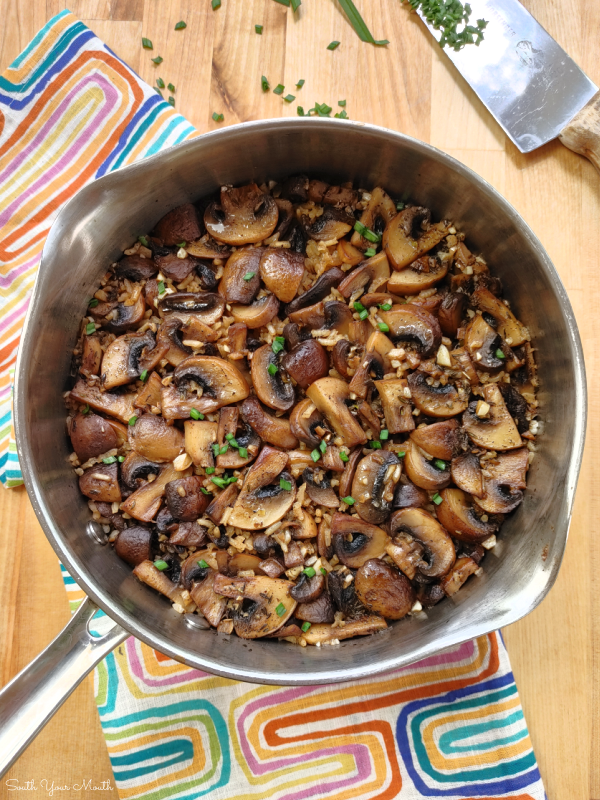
x=39, y=690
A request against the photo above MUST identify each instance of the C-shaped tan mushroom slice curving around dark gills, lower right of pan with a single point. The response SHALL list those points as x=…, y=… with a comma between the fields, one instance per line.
x=419, y=524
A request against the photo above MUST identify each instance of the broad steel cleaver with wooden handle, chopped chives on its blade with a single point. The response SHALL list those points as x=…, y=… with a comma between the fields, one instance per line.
x=532, y=87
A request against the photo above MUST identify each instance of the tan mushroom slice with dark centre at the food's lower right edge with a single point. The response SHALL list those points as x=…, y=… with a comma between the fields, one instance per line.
x=504, y=482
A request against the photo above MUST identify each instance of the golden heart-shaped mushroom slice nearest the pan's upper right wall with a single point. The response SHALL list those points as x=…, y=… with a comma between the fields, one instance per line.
x=410, y=235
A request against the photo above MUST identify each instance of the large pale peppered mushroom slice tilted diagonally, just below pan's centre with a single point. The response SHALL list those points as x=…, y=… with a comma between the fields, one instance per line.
x=263, y=499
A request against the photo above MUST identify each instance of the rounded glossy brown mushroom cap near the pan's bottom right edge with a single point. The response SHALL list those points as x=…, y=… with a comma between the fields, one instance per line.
x=384, y=590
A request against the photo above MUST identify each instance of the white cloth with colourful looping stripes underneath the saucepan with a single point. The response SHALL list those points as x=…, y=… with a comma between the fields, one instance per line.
x=451, y=726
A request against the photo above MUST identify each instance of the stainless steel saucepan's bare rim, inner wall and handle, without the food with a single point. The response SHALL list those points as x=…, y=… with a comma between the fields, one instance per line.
x=93, y=229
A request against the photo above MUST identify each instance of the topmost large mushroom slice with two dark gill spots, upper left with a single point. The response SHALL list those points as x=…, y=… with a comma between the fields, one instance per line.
x=244, y=215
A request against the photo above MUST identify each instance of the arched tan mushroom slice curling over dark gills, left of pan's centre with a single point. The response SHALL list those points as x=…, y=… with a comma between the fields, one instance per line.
x=221, y=382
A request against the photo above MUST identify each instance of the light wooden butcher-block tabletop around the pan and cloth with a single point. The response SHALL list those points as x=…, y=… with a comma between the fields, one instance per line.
x=215, y=65
